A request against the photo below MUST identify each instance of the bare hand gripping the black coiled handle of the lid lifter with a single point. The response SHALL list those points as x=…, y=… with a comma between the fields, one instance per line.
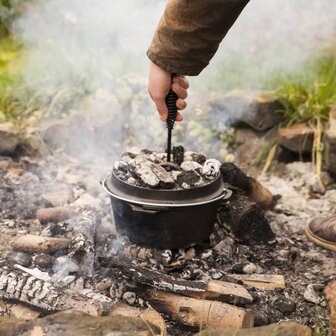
x=159, y=84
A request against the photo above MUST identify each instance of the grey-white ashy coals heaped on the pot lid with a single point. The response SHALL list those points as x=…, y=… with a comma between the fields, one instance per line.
x=150, y=169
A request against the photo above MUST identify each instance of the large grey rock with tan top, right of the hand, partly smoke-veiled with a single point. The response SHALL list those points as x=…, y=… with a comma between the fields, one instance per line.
x=260, y=110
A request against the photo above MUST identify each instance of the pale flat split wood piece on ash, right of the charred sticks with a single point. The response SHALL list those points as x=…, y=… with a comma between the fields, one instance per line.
x=261, y=280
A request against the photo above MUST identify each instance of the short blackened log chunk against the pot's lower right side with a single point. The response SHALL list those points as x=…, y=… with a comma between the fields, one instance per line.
x=245, y=219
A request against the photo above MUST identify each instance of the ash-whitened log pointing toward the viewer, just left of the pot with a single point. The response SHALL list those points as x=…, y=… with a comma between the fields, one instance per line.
x=82, y=247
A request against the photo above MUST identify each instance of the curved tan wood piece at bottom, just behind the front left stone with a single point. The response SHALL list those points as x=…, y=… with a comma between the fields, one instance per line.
x=150, y=315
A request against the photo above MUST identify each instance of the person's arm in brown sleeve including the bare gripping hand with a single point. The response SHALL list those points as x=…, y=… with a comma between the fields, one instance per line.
x=188, y=36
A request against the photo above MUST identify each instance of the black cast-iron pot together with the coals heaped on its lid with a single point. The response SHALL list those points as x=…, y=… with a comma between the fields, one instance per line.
x=175, y=212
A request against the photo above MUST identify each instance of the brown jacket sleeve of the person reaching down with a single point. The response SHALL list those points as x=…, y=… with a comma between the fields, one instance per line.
x=190, y=32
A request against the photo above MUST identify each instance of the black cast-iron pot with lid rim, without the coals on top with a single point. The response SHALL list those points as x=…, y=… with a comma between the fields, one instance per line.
x=165, y=219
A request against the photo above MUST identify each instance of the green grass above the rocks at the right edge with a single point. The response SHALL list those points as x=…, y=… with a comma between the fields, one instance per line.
x=308, y=93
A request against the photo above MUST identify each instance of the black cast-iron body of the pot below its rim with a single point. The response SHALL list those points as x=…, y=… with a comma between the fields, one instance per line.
x=164, y=228
